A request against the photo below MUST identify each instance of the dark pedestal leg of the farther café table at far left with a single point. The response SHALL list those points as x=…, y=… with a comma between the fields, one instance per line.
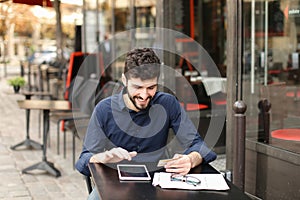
x=28, y=143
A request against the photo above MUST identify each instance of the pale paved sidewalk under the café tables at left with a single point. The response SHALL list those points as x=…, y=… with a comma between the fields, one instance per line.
x=38, y=185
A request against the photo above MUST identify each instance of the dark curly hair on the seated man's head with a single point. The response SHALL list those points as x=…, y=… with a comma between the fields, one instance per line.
x=142, y=63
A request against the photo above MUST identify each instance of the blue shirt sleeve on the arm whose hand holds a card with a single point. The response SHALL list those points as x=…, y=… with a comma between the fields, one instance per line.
x=188, y=135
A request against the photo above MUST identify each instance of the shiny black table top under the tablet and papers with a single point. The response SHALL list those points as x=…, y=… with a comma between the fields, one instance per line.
x=109, y=186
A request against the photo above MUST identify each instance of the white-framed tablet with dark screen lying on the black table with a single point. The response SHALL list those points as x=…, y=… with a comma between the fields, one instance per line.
x=133, y=173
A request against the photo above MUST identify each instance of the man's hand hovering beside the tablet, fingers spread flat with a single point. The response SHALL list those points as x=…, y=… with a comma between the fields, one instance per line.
x=113, y=156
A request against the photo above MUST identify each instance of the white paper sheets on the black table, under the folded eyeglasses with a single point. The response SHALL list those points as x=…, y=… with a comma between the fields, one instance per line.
x=208, y=182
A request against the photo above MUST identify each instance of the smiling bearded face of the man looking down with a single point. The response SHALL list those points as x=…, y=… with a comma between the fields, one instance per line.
x=141, y=92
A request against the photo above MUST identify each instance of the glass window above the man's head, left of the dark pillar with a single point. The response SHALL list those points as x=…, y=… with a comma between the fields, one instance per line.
x=105, y=18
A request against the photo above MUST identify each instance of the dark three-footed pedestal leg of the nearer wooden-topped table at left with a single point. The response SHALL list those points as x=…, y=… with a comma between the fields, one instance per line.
x=44, y=165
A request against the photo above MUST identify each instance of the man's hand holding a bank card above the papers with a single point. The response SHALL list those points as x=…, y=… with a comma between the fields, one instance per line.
x=183, y=163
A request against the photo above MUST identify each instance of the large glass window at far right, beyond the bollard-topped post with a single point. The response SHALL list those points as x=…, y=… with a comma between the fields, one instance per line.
x=271, y=67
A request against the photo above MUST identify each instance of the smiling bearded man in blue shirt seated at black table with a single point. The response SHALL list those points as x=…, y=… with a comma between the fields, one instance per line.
x=134, y=124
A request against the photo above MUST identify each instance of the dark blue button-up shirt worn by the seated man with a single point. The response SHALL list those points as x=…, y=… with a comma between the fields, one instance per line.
x=112, y=124
